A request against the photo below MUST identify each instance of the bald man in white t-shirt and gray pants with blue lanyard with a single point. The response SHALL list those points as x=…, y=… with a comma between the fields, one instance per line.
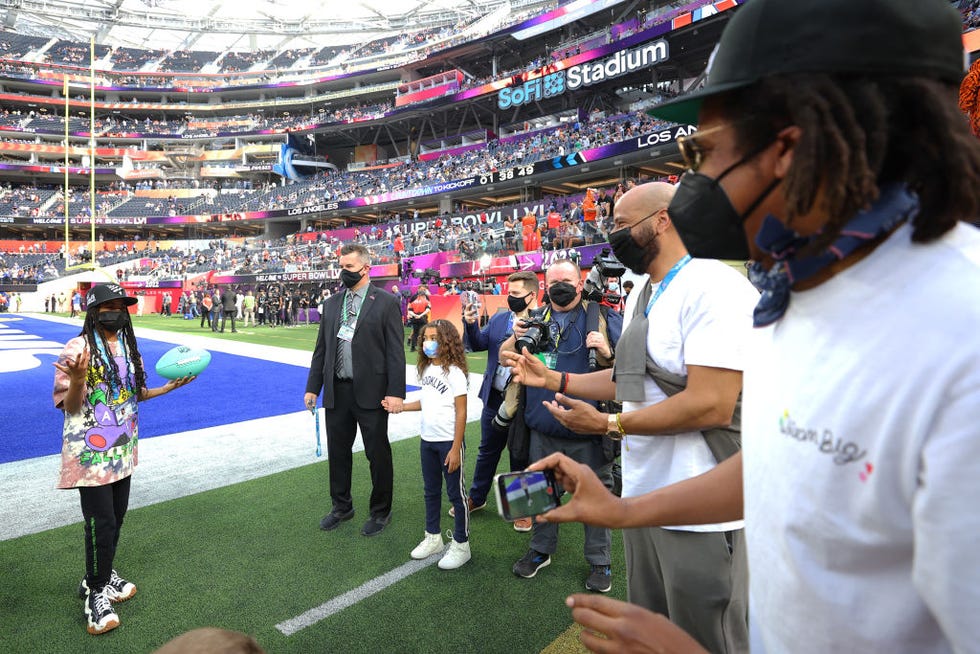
x=694, y=323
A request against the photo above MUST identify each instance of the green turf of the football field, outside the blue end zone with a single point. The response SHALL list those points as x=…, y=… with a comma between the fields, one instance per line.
x=250, y=556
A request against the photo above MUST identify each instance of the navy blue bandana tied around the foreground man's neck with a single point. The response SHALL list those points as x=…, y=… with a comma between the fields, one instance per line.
x=895, y=205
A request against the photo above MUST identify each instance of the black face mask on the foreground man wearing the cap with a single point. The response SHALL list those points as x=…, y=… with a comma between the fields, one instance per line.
x=705, y=219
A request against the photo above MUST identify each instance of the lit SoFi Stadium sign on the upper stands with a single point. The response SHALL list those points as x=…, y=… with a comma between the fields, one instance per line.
x=575, y=77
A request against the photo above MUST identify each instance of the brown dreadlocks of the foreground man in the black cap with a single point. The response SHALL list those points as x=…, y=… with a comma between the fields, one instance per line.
x=859, y=133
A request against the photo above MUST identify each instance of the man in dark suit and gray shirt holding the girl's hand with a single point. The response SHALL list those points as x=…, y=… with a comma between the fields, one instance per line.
x=358, y=361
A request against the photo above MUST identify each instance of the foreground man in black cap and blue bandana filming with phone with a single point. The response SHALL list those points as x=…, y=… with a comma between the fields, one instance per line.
x=831, y=152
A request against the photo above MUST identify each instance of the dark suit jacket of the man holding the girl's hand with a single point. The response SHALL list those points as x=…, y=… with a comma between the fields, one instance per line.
x=377, y=350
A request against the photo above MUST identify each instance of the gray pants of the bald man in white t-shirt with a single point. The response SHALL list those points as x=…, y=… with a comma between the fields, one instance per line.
x=698, y=580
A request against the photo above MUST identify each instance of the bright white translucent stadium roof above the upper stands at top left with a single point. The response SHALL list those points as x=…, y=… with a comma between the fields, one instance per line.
x=236, y=25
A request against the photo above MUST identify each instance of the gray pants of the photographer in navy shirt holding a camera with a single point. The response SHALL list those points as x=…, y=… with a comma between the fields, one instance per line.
x=588, y=451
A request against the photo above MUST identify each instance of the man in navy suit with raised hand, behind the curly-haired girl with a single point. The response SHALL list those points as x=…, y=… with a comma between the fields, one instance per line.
x=522, y=298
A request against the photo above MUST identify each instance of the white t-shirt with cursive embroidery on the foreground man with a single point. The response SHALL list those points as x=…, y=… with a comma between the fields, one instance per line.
x=861, y=425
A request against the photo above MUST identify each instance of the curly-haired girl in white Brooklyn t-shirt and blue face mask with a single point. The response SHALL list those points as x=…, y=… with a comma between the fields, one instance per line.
x=442, y=374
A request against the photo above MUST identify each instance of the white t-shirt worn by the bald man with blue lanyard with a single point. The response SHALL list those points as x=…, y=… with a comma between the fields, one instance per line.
x=702, y=318
